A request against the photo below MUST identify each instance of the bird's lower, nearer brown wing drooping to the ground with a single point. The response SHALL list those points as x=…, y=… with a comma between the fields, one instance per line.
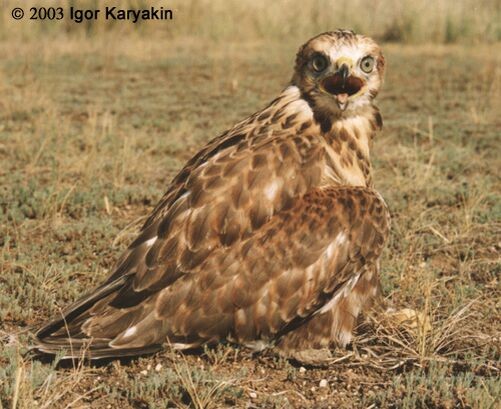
x=262, y=286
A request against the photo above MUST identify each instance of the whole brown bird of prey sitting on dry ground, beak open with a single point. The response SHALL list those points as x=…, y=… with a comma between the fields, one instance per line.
x=268, y=237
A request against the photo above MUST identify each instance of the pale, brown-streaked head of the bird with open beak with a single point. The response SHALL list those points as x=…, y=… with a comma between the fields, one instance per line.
x=339, y=71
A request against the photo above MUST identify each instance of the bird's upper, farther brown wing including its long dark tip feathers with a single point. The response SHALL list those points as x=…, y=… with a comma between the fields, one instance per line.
x=224, y=195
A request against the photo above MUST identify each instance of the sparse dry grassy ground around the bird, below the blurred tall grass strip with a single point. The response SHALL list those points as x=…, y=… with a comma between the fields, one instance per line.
x=92, y=129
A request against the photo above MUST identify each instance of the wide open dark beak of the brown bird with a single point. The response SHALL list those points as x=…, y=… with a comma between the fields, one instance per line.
x=342, y=84
